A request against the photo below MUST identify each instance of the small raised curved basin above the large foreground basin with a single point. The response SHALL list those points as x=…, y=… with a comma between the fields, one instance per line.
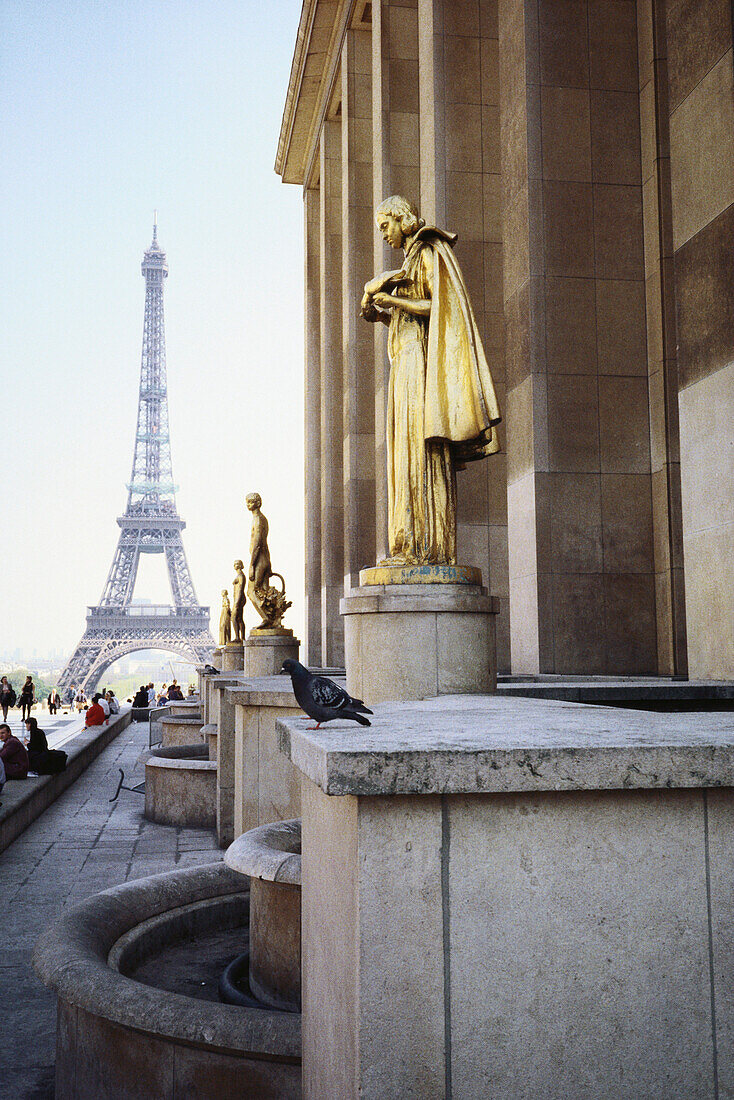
x=271, y=856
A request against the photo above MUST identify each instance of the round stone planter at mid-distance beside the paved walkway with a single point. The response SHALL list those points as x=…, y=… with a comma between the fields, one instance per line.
x=181, y=787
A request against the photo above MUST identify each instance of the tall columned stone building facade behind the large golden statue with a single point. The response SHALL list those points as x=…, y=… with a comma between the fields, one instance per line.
x=583, y=150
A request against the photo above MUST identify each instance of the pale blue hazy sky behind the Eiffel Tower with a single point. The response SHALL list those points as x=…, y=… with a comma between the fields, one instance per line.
x=109, y=109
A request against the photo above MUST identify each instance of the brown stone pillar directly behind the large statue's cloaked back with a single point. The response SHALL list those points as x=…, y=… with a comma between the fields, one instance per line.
x=461, y=191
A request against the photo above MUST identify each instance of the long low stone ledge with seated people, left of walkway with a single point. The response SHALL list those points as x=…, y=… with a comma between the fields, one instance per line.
x=24, y=800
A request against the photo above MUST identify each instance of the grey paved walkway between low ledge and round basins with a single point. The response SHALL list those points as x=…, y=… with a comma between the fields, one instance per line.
x=81, y=845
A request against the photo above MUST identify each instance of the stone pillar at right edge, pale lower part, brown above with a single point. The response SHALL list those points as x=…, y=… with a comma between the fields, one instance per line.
x=702, y=106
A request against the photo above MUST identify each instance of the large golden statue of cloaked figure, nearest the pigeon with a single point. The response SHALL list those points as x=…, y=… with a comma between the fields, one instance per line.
x=442, y=406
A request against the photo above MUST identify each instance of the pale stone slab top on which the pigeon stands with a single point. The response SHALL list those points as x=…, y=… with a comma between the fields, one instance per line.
x=492, y=744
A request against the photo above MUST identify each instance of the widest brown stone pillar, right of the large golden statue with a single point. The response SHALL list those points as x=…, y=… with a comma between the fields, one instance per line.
x=579, y=492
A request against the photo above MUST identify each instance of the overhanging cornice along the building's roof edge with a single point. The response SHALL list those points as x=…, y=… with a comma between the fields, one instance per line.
x=315, y=67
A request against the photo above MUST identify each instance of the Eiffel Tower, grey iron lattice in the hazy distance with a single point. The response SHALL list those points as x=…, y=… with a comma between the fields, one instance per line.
x=150, y=525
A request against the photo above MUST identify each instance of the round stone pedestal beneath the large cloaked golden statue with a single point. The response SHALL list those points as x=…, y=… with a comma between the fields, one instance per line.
x=413, y=633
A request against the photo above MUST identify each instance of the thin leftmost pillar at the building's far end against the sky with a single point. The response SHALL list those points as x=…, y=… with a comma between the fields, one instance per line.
x=313, y=427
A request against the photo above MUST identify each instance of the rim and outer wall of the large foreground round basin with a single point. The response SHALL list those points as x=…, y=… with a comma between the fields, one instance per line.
x=118, y=1038
